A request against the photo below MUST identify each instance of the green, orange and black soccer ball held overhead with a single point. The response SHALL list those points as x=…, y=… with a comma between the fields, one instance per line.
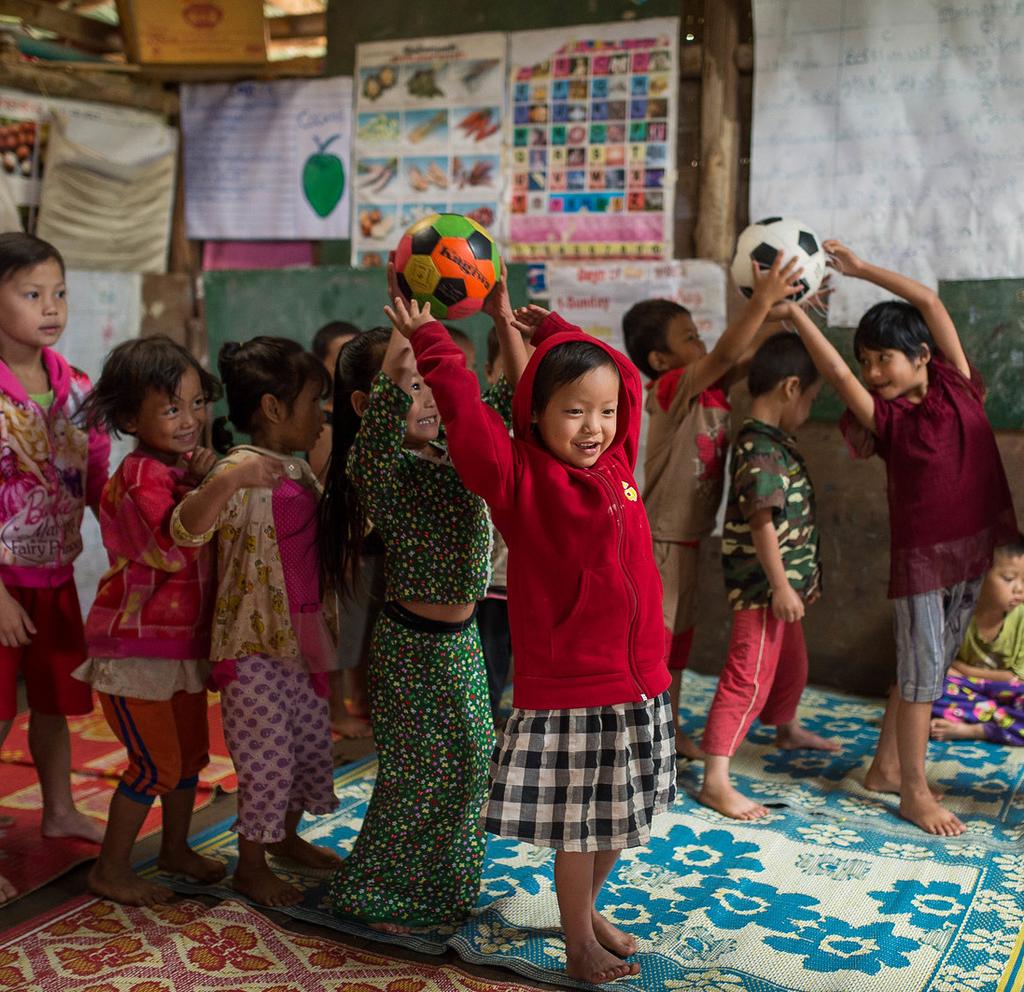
x=449, y=262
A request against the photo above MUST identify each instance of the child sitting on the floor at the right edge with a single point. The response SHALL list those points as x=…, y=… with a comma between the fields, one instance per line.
x=984, y=697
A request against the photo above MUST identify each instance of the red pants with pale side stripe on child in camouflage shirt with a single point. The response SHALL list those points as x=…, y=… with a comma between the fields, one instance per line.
x=764, y=676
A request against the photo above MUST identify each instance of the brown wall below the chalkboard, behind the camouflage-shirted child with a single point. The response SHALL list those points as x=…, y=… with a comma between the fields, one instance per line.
x=848, y=631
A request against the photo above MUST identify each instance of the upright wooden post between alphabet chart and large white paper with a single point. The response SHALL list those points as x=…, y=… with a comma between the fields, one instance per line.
x=716, y=229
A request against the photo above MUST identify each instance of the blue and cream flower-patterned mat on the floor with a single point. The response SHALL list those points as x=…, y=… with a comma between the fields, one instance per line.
x=830, y=893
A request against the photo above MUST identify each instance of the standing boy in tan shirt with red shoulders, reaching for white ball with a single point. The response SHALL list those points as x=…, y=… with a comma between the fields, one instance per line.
x=688, y=439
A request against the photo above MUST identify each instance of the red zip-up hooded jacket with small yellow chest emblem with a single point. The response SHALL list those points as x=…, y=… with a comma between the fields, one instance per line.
x=585, y=596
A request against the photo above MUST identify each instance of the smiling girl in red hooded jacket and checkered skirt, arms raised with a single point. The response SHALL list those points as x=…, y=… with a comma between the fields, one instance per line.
x=588, y=756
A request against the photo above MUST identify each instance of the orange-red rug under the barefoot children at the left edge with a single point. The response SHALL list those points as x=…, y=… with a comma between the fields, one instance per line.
x=28, y=859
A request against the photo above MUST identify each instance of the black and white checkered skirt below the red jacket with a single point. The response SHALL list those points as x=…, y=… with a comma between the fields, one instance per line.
x=587, y=780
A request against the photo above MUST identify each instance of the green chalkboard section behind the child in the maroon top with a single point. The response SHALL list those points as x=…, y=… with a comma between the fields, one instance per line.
x=990, y=318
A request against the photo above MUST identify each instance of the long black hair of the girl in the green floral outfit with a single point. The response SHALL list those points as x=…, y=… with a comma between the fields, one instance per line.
x=343, y=517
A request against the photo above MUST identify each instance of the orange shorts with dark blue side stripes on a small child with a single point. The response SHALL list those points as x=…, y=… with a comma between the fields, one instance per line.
x=167, y=742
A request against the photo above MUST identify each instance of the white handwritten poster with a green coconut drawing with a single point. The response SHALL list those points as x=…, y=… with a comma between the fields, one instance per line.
x=268, y=160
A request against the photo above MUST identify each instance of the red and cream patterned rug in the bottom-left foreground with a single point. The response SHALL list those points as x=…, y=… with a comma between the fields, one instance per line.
x=99, y=946
